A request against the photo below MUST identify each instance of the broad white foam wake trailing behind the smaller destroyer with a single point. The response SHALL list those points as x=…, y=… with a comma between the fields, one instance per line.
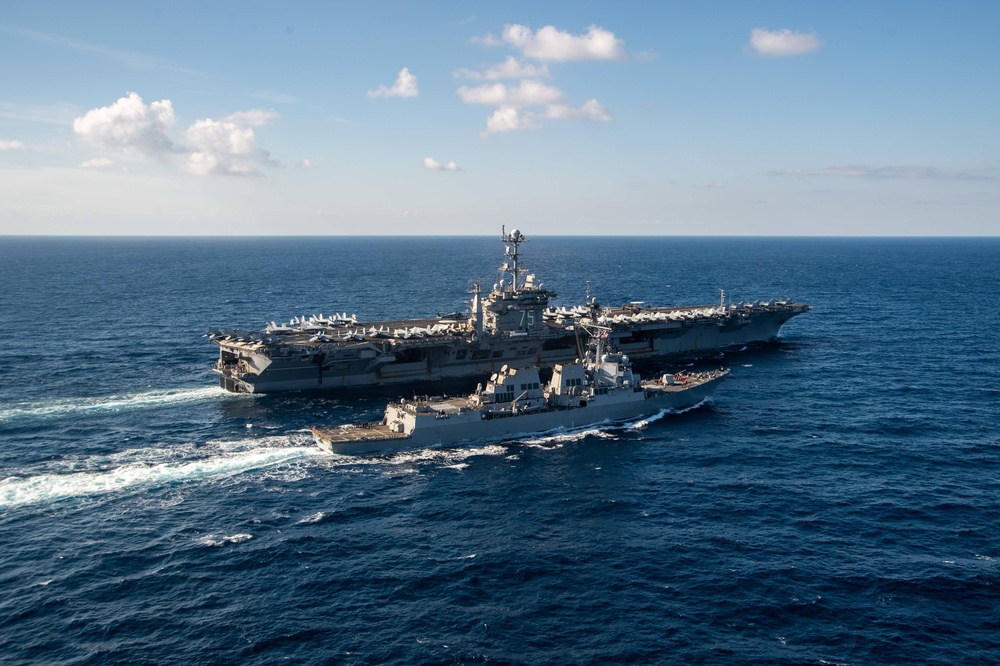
x=48, y=488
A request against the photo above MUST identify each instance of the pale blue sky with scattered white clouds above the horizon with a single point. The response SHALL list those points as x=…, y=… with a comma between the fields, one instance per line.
x=647, y=118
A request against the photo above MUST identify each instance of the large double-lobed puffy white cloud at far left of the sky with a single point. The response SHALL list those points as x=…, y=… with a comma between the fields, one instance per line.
x=224, y=146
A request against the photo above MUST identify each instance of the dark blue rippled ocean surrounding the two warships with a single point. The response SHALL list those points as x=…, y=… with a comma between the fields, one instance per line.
x=837, y=502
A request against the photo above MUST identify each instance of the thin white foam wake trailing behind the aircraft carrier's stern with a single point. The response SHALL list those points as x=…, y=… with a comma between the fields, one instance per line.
x=111, y=403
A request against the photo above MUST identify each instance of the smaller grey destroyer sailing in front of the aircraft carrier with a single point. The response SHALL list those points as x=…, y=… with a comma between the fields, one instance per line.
x=601, y=387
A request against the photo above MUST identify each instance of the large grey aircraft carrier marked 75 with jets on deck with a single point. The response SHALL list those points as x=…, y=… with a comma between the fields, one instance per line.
x=511, y=325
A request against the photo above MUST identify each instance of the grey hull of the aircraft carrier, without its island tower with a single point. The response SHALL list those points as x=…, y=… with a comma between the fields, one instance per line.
x=375, y=362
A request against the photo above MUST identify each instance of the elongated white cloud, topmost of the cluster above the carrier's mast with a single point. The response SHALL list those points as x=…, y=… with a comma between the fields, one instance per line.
x=550, y=43
